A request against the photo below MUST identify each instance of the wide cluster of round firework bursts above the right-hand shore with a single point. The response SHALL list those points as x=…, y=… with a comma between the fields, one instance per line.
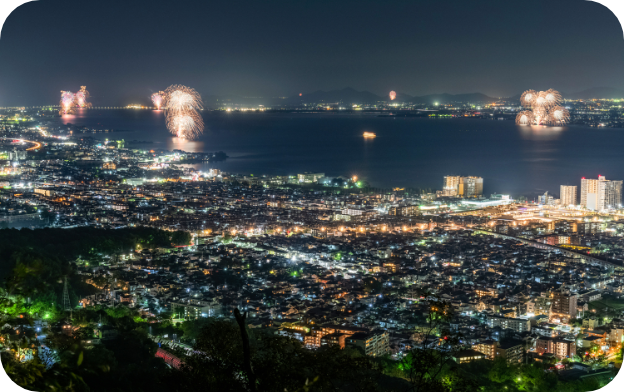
x=544, y=109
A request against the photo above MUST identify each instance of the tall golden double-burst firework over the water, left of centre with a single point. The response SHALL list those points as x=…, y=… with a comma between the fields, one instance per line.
x=181, y=106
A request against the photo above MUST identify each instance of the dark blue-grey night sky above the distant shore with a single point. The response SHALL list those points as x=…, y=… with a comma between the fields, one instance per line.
x=123, y=51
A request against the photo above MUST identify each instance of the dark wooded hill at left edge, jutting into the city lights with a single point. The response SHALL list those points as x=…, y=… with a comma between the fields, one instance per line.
x=42, y=258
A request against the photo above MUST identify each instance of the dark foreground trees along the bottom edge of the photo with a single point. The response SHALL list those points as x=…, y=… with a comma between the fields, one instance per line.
x=271, y=363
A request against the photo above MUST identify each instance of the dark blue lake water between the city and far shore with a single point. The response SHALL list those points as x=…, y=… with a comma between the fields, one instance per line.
x=407, y=152
